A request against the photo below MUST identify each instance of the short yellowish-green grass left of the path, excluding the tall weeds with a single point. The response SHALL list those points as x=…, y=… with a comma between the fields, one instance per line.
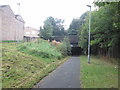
x=22, y=70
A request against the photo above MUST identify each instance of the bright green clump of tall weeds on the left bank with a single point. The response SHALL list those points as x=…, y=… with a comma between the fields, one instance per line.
x=41, y=48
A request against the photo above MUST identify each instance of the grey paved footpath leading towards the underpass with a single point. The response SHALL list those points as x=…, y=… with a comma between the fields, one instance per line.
x=66, y=75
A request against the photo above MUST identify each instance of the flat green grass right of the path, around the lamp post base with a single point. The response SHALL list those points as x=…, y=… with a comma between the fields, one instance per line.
x=98, y=74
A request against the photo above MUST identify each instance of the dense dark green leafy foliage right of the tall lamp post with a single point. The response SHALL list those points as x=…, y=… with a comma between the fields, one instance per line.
x=105, y=27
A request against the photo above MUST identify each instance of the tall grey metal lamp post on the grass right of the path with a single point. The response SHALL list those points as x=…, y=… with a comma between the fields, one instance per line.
x=89, y=35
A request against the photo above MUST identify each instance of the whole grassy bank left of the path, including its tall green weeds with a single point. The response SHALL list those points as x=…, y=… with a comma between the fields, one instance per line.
x=23, y=64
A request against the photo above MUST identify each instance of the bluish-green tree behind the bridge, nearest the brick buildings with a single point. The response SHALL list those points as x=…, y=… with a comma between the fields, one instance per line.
x=52, y=27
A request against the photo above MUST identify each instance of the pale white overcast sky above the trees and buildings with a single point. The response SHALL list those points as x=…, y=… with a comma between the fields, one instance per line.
x=34, y=12
